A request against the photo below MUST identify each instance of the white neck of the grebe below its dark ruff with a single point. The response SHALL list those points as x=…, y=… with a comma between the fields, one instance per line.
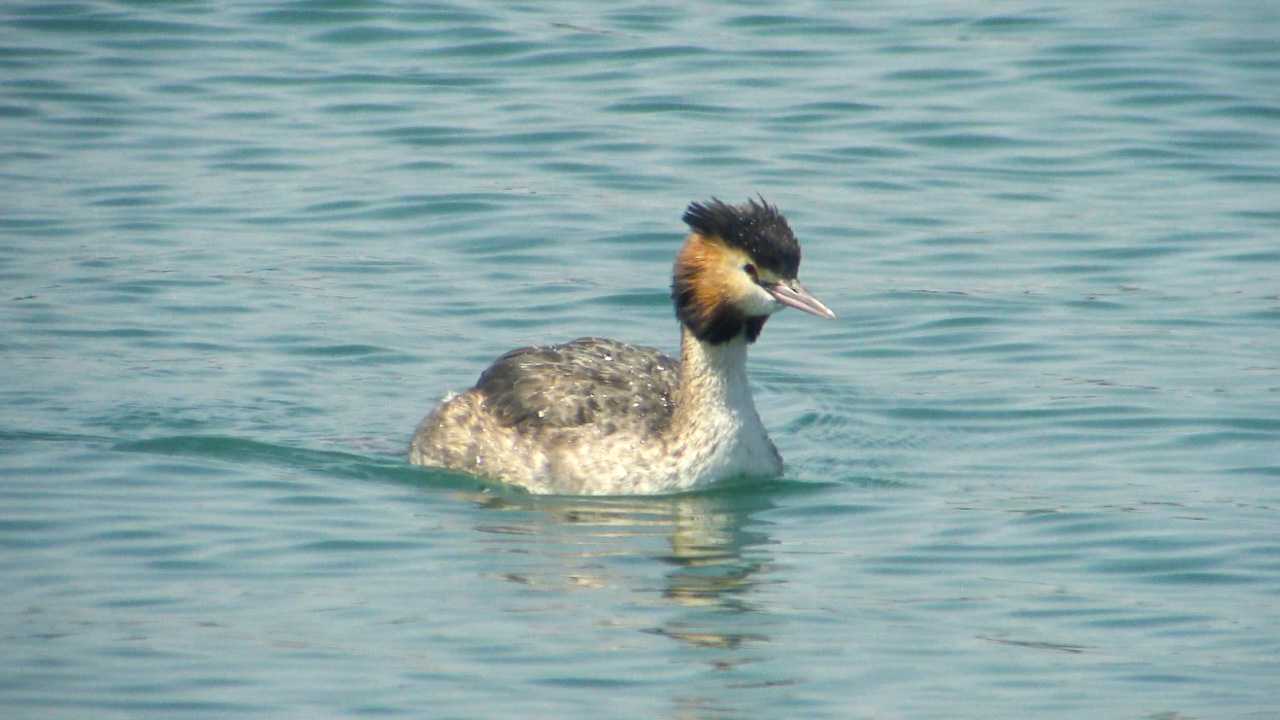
x=714, y=382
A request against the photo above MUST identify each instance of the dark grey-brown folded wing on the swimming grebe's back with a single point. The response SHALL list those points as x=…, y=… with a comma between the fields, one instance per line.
x=588, y=381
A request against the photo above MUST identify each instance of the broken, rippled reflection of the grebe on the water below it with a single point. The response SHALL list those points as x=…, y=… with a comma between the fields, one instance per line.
x=716, y=550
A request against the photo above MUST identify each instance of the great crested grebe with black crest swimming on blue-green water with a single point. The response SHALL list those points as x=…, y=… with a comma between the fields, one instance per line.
x=601, y=417
